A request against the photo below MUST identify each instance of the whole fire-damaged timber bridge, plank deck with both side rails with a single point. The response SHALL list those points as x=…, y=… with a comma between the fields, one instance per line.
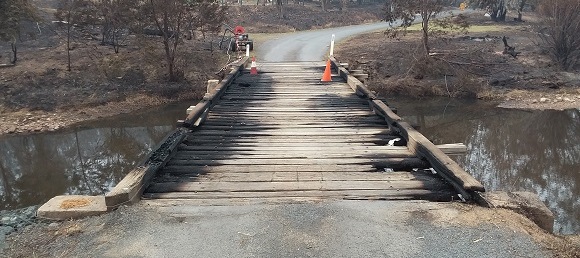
x=283, y=135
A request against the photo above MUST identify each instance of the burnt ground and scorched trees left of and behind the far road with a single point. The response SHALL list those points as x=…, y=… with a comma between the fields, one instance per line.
x=73, y=54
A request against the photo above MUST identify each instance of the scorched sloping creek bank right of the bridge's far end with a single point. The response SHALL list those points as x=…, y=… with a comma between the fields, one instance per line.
x=468, y=65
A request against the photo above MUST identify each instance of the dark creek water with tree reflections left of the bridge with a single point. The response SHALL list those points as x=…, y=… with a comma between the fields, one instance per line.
x=88, y=160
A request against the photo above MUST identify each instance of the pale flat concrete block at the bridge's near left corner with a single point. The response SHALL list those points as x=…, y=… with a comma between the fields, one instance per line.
x=65, y=207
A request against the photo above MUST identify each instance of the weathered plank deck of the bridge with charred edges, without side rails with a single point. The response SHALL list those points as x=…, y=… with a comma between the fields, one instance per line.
x=282, y=135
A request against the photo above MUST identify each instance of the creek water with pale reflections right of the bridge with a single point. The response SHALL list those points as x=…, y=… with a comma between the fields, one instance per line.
x=511, y=150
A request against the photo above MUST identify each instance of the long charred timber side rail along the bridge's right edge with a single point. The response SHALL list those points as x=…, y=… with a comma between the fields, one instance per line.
x=418, y=144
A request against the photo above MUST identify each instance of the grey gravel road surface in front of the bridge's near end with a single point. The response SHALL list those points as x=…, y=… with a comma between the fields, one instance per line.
x=325, y=229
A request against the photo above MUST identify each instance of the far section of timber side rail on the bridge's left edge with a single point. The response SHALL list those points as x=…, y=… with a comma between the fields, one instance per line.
x=210, y=98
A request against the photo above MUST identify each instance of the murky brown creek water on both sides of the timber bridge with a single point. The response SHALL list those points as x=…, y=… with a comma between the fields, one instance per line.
x=512, y=150
